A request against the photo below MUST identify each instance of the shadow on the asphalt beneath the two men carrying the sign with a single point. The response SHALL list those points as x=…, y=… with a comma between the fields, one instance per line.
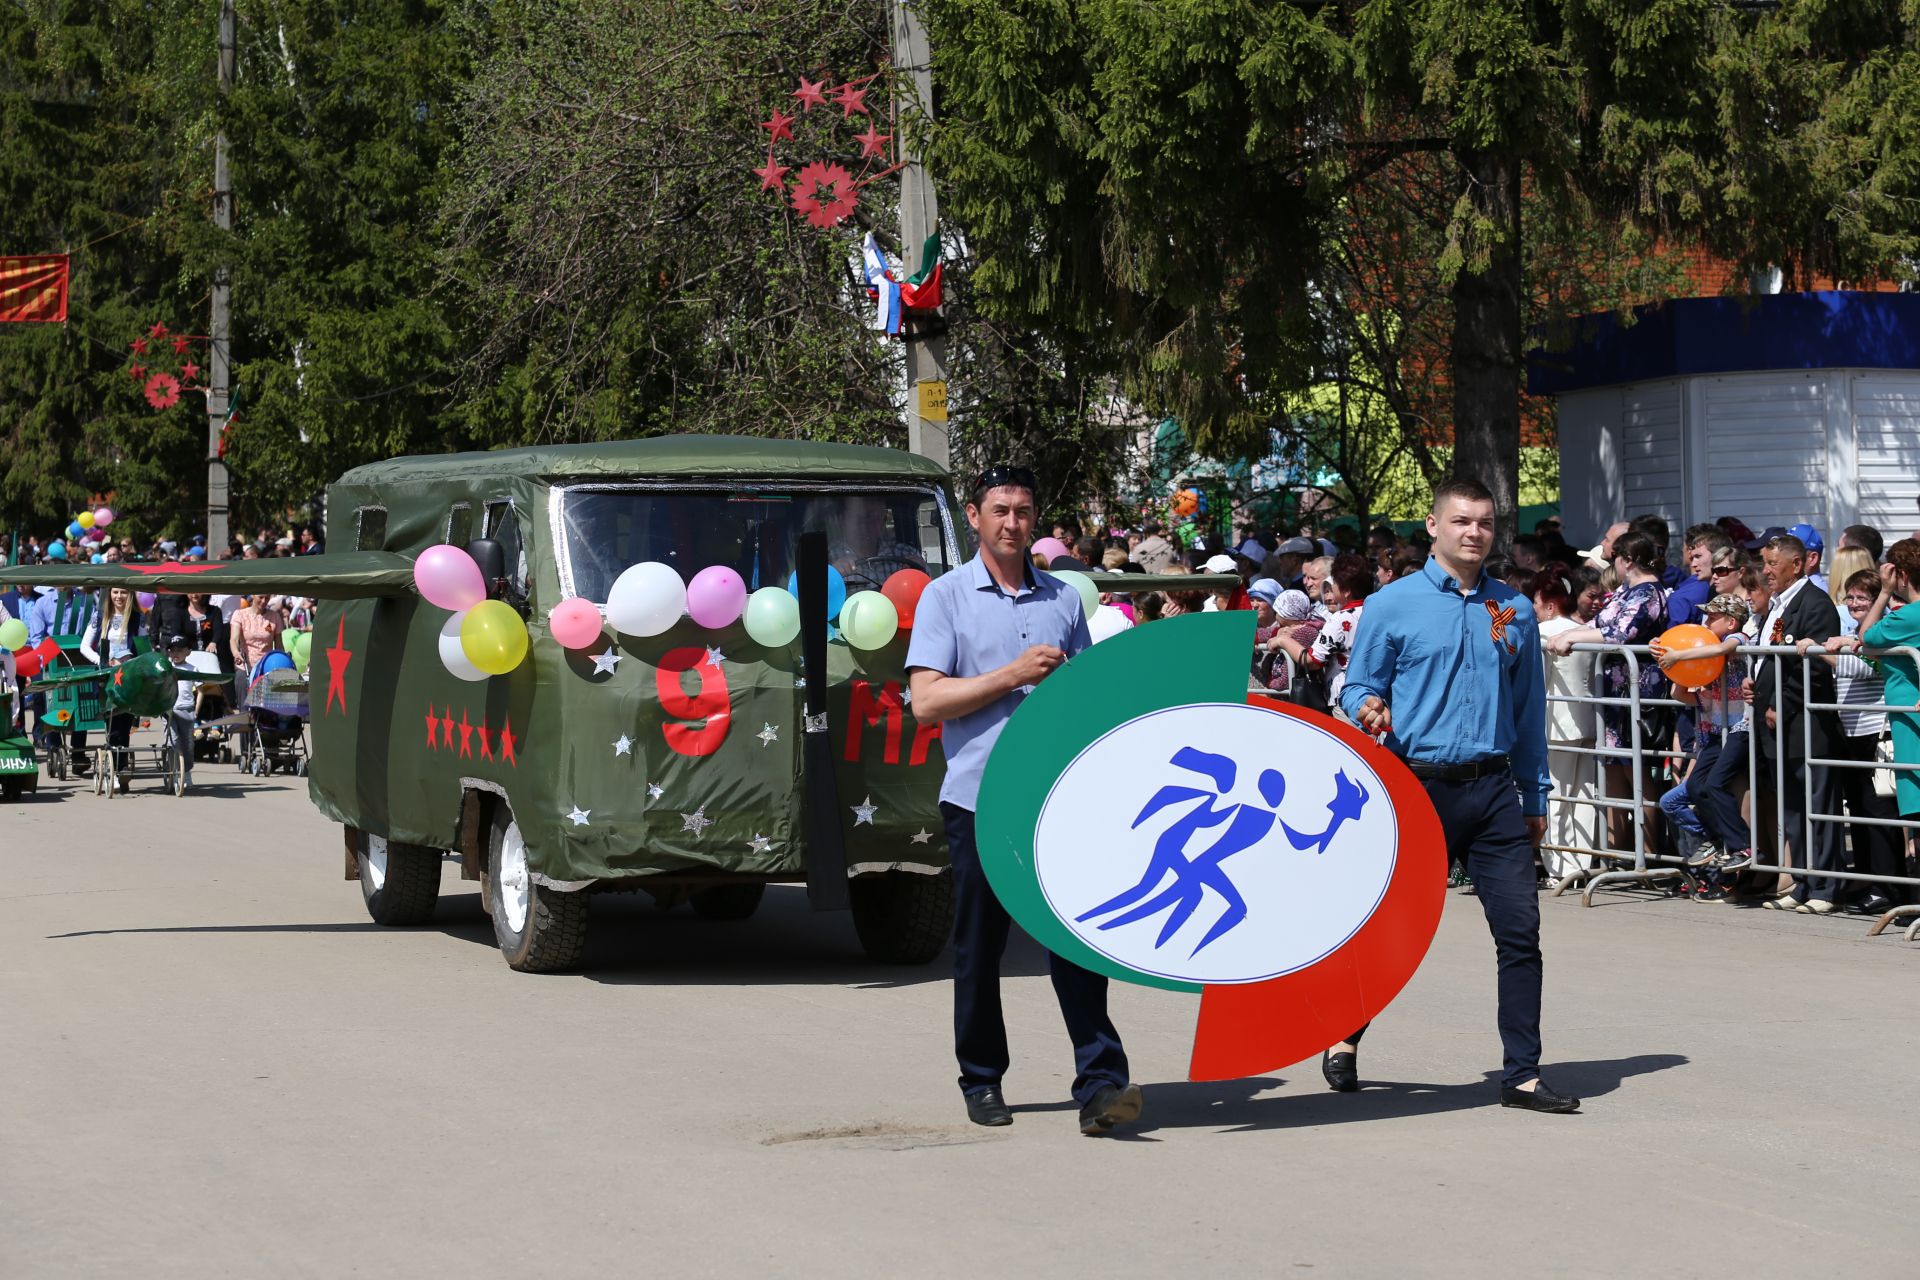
x=1239, y=1106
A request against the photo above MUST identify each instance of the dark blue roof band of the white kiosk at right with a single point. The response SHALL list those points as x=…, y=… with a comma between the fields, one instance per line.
x=1735, y=335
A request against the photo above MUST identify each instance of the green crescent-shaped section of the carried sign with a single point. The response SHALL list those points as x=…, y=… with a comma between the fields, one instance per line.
x=1170, y=663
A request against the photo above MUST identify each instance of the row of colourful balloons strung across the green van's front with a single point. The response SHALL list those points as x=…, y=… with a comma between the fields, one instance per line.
x=650, y=600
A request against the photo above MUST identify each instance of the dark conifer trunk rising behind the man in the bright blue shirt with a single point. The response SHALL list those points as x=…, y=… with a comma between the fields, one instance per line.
x=1487, y=343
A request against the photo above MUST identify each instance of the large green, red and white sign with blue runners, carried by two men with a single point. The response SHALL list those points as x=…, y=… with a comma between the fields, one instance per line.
x=1147, y=818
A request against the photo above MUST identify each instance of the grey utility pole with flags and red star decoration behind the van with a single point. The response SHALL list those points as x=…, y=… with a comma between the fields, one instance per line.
x=921, y=218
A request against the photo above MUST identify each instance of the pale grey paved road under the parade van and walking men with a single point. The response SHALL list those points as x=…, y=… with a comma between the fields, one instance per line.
x=218, y=1068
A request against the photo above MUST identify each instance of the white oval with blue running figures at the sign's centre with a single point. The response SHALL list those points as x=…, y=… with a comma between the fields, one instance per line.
x=1216, y=843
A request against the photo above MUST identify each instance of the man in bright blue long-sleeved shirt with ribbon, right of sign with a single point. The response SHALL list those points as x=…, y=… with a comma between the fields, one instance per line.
x=1447, y=673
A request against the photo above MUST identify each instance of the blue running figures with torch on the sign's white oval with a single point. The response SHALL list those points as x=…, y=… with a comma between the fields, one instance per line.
x=1195, y=874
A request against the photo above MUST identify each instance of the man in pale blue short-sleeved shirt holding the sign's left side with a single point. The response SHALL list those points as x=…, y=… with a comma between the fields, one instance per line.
x=984, y=638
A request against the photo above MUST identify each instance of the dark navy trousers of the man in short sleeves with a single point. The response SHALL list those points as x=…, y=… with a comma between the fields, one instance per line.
x=980, y=1030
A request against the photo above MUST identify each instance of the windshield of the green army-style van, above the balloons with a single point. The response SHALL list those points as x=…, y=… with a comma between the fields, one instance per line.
x=871, y=533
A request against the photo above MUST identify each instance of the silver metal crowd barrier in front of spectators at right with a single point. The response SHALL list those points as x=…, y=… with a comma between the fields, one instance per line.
x=1644, y=868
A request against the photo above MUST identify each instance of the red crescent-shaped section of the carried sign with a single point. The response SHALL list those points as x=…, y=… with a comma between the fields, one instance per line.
x=1253, y=1028
